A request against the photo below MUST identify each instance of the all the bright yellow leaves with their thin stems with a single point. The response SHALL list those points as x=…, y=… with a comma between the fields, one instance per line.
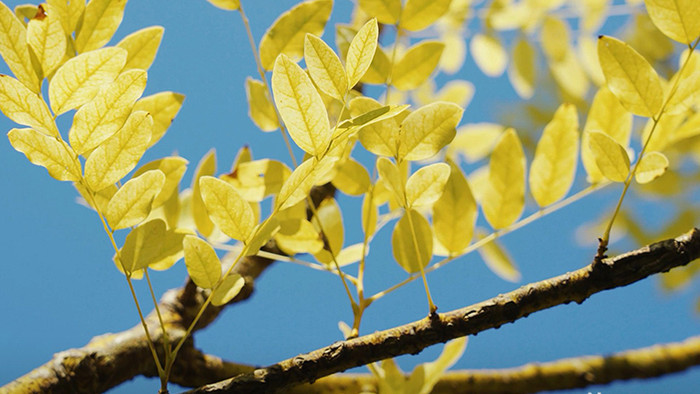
x=416, y=176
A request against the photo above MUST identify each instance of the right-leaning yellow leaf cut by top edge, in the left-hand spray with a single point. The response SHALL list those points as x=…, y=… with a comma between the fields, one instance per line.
x=100, y=21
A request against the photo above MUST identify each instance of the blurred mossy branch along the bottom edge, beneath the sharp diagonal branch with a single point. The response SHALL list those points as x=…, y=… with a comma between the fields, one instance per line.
x=568, y=373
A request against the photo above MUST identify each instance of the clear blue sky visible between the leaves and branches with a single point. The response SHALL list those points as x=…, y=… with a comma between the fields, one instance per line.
x=60, y=287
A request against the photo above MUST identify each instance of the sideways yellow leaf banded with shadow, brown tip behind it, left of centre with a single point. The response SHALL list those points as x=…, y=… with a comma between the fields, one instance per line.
x=257, y=179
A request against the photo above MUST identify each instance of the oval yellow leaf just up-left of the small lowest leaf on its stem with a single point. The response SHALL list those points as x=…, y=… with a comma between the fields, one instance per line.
x=203, y=265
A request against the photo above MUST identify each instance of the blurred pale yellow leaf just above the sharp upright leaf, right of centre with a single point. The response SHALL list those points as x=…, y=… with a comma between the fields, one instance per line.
x=475, y=141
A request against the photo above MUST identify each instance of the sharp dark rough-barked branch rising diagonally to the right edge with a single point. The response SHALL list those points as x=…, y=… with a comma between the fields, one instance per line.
x=411, y=338
